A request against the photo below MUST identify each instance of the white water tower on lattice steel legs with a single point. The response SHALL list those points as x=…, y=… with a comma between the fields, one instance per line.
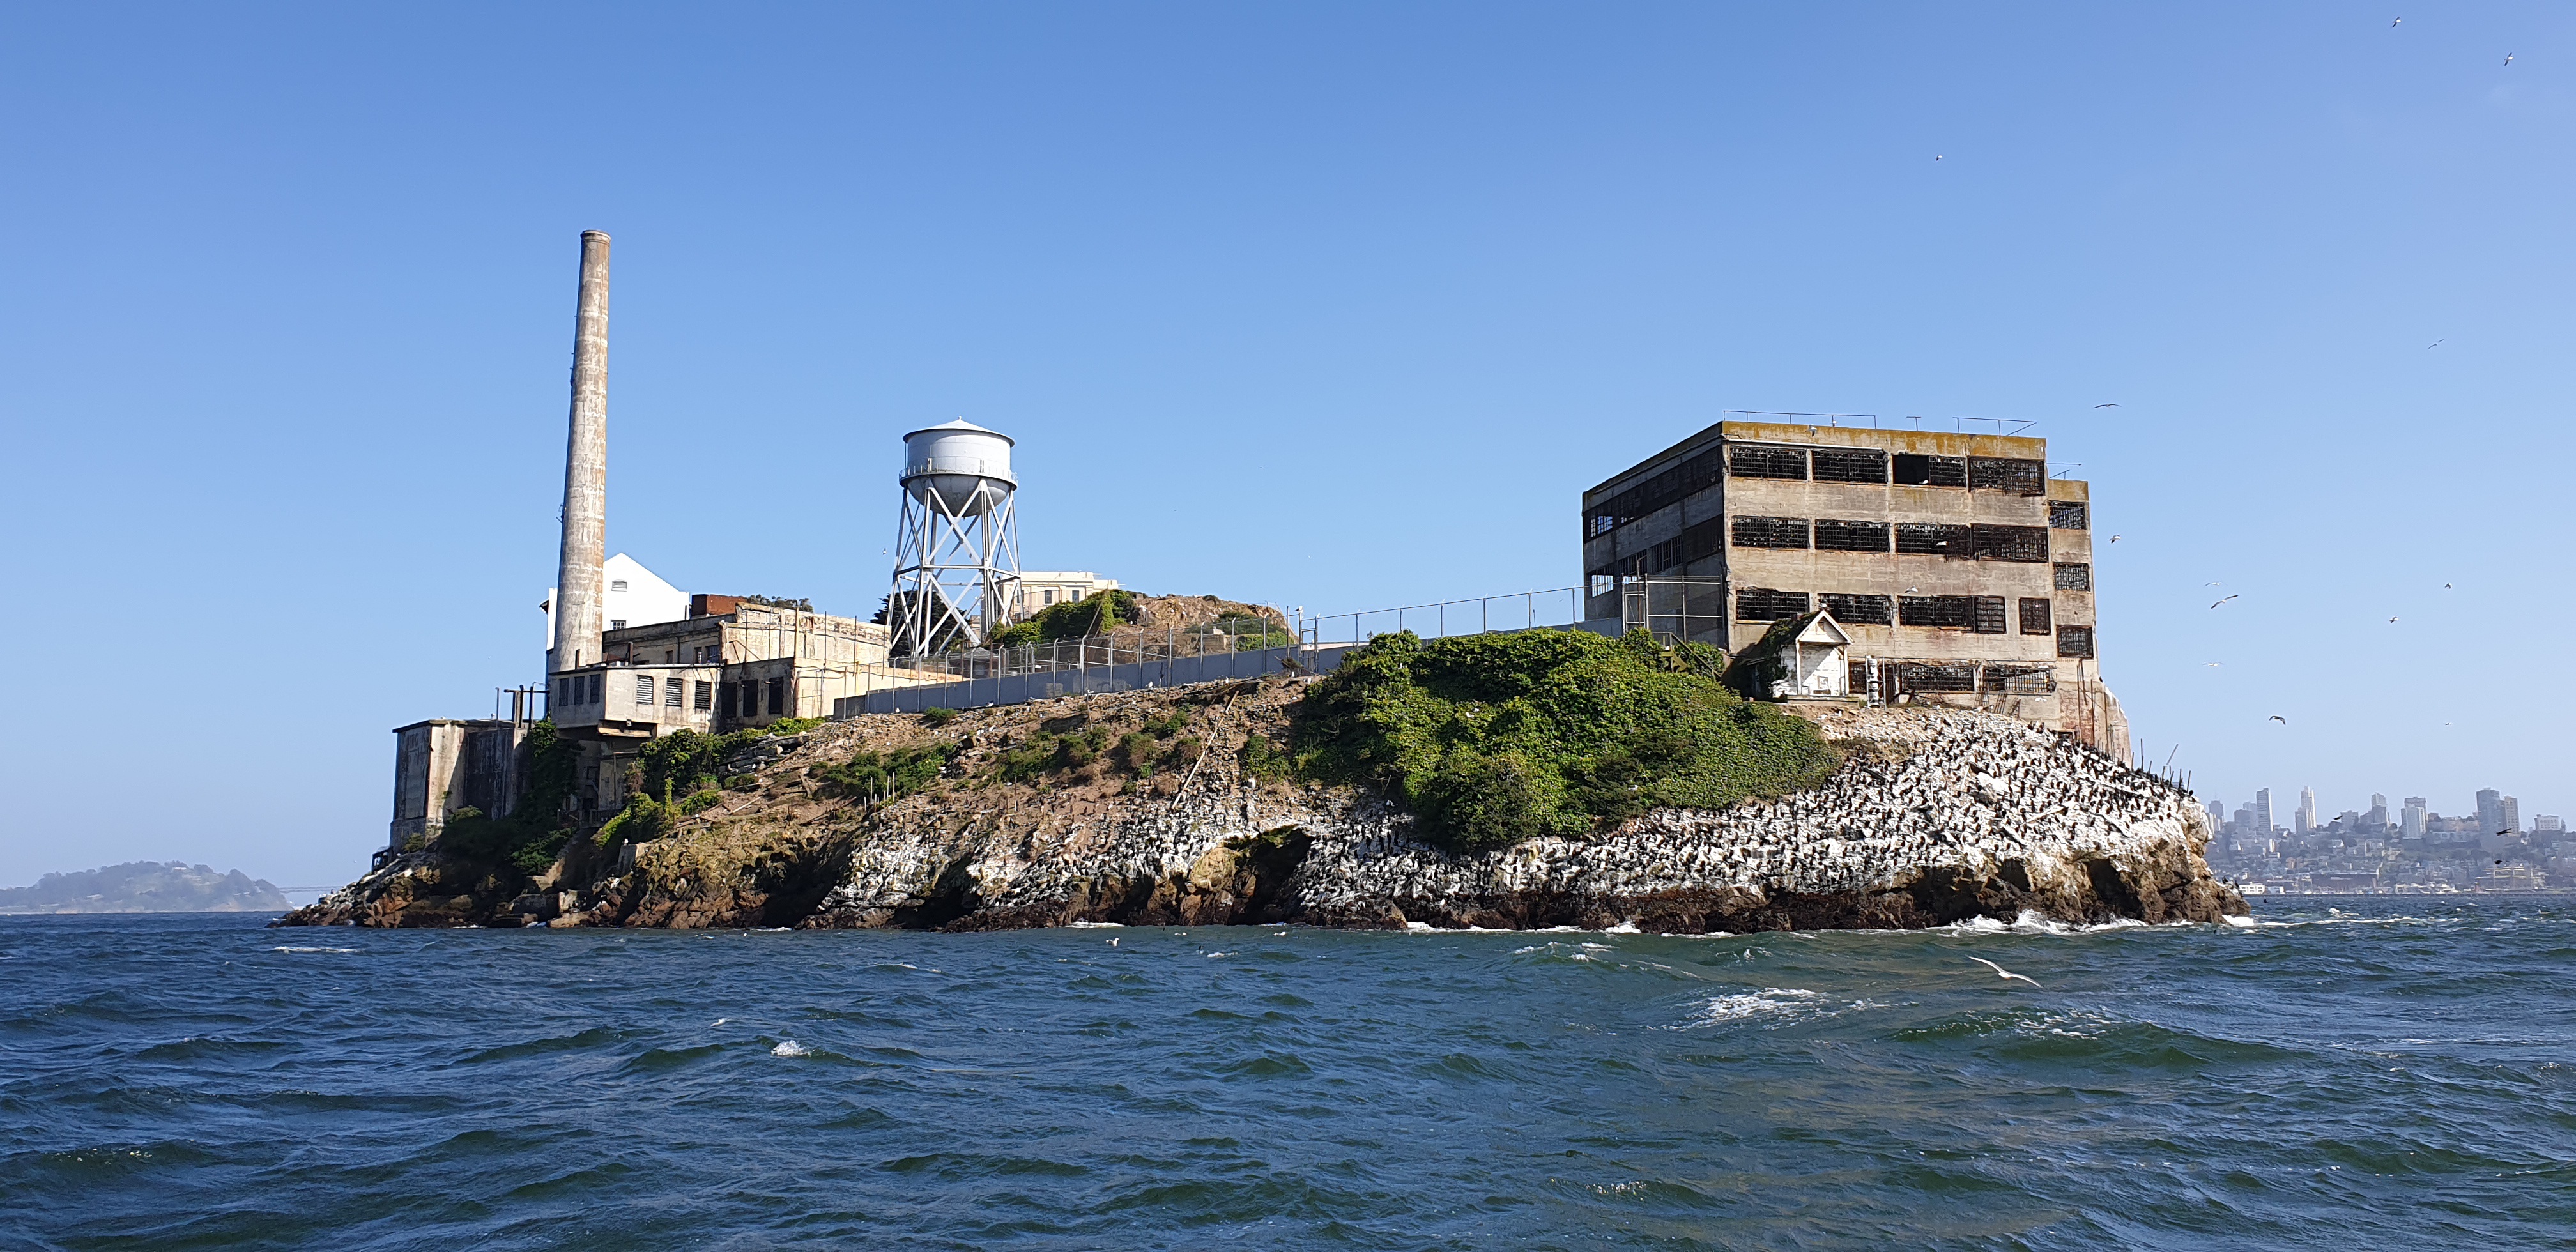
x=957, y=558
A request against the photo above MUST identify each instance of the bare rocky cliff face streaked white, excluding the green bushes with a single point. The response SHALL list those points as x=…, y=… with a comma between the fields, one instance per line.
x=1936, y=818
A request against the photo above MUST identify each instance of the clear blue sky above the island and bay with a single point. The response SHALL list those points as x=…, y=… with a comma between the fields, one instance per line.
x=1325, y=305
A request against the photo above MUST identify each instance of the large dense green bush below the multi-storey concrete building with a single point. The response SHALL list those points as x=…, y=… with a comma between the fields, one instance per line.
x=1503, y=738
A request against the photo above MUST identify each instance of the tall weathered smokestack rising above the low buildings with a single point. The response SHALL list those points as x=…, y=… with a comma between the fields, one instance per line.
x=578, y=581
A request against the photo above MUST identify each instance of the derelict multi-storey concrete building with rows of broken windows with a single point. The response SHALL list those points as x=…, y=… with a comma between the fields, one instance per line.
x=1956, y=565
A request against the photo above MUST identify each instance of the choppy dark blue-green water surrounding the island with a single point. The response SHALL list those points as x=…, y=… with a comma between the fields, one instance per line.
x=2345, y=1073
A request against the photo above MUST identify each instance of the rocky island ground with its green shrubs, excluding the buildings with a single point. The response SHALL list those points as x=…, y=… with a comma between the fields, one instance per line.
x=1488, y=782
